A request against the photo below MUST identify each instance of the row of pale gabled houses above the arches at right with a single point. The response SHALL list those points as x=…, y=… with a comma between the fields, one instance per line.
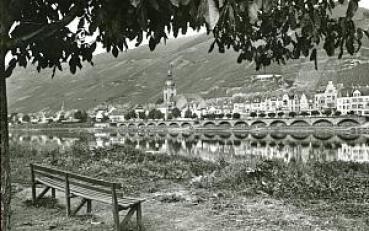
x=353, y=99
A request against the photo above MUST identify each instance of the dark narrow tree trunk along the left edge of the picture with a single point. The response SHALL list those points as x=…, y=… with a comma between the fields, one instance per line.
x=4, y=151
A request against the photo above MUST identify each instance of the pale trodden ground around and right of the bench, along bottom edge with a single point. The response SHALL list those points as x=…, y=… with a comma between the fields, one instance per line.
x=216, y=212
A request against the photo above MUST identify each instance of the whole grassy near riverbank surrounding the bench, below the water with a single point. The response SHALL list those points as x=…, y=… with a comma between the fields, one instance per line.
x=192, y=194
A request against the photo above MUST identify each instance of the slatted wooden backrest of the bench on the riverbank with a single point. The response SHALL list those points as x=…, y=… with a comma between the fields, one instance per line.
x=70, y=178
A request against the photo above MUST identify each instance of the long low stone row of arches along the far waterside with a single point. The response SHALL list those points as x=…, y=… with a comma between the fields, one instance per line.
x=248, y=123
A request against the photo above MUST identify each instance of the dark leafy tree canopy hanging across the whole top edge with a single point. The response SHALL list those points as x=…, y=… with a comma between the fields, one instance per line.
x=263, y=31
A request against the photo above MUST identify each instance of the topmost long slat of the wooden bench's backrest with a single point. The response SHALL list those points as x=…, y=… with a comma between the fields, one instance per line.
x=77, y=176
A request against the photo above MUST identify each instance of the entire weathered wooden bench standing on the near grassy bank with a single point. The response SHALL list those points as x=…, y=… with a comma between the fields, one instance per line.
x=88, y=189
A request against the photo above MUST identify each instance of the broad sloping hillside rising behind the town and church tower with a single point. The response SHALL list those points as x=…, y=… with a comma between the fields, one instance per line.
x=138, y=75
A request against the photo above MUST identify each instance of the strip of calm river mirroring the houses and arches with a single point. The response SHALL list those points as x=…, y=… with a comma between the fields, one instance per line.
x=227, y=146
